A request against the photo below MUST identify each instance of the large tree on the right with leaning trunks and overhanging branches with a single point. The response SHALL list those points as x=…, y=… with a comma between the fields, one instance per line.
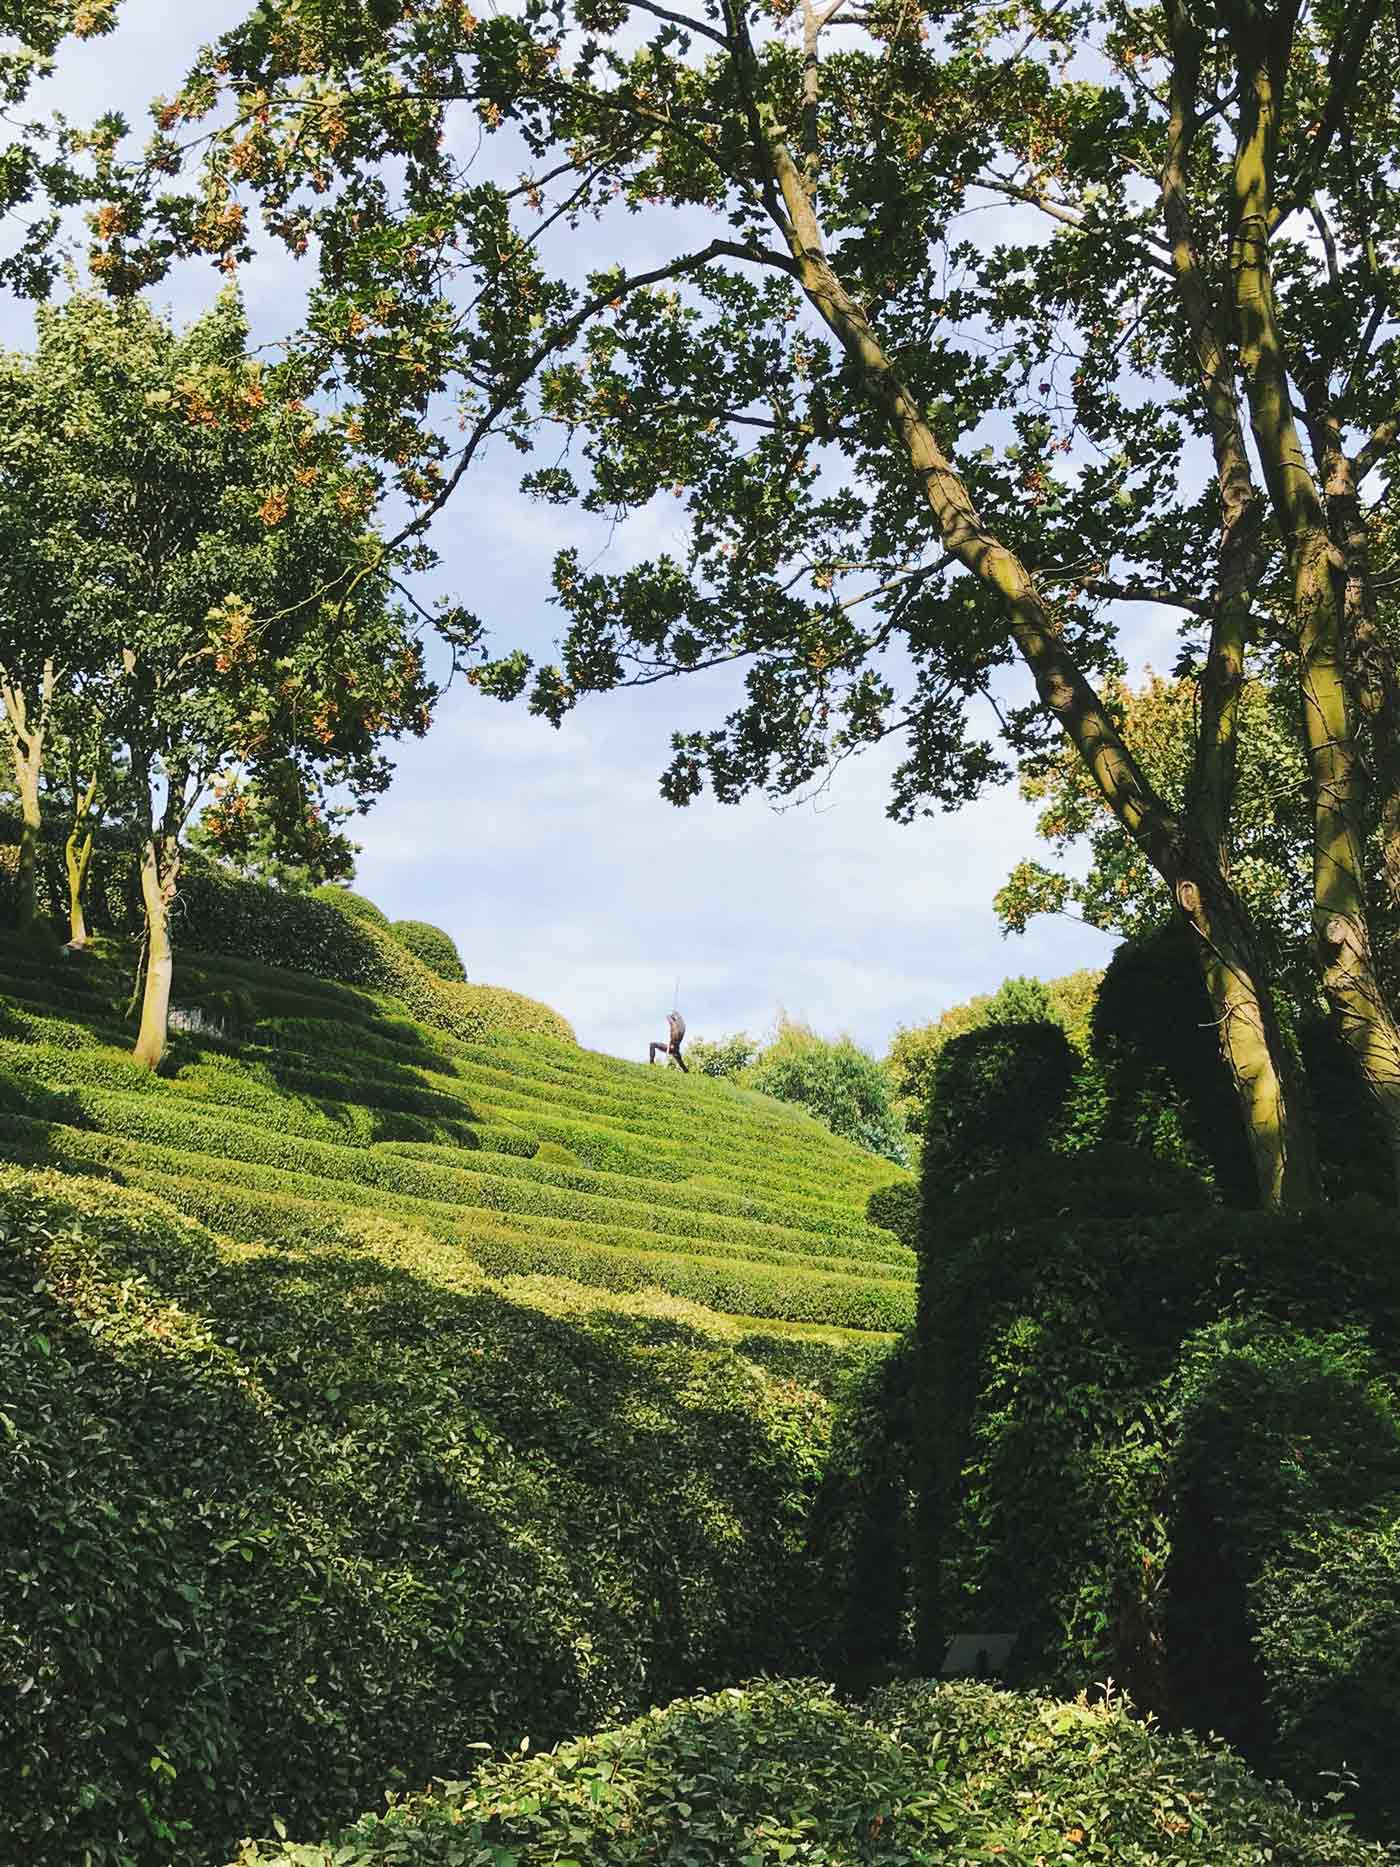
x=819, y=382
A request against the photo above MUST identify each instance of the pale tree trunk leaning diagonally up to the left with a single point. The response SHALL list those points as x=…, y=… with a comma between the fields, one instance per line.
x=1252, y=1043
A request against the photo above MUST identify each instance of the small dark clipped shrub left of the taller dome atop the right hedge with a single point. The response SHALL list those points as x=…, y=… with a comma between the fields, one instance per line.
x=998, y=1093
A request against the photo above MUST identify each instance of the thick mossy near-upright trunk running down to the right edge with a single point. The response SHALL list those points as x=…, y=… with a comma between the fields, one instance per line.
x=1341, y=925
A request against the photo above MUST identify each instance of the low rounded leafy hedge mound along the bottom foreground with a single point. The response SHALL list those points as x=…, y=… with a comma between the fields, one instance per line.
x=785, y=1775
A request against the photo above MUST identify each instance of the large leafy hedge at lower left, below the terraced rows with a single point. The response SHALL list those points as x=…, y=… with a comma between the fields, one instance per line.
x=283, y=1530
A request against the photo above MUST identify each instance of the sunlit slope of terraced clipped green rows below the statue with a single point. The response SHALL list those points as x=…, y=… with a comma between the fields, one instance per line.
x=533, y=1157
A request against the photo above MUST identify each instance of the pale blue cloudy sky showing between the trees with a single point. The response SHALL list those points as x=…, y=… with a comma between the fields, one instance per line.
x=548, y=854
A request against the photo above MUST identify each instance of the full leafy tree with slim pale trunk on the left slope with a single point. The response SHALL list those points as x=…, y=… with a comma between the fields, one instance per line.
x=231, y=615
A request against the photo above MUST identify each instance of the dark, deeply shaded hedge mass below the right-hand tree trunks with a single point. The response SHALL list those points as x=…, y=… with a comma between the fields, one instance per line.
x=1149, y=1420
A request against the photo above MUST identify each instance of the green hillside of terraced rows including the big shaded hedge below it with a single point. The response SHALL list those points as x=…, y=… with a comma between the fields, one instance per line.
x=372, y=1394
